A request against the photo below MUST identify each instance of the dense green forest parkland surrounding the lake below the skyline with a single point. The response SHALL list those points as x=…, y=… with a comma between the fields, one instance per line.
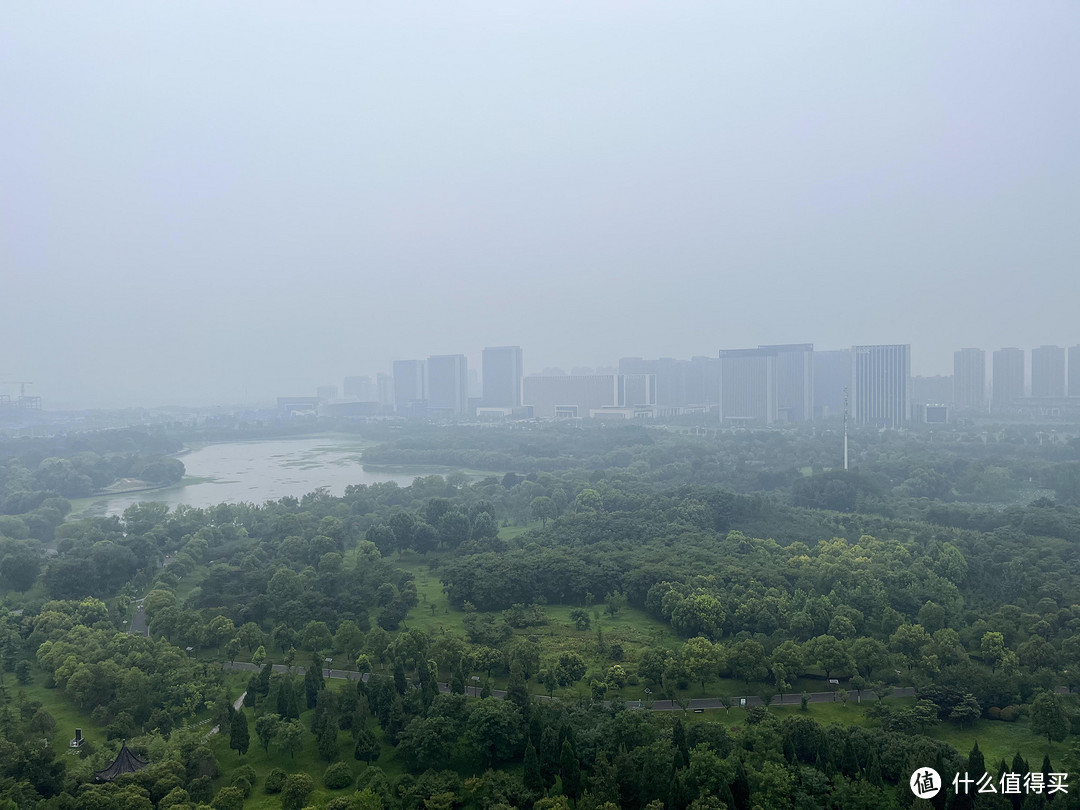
x=610, y=618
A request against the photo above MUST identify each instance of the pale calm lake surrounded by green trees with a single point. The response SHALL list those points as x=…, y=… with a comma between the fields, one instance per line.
x=256, y=472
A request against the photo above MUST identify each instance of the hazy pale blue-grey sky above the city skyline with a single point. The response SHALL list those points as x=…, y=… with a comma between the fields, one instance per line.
x=208, y=202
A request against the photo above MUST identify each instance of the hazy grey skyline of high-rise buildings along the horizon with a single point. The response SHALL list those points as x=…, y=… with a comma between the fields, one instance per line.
x=767, y=385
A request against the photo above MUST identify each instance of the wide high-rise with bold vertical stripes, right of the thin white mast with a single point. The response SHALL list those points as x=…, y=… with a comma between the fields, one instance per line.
x=882, y=385
